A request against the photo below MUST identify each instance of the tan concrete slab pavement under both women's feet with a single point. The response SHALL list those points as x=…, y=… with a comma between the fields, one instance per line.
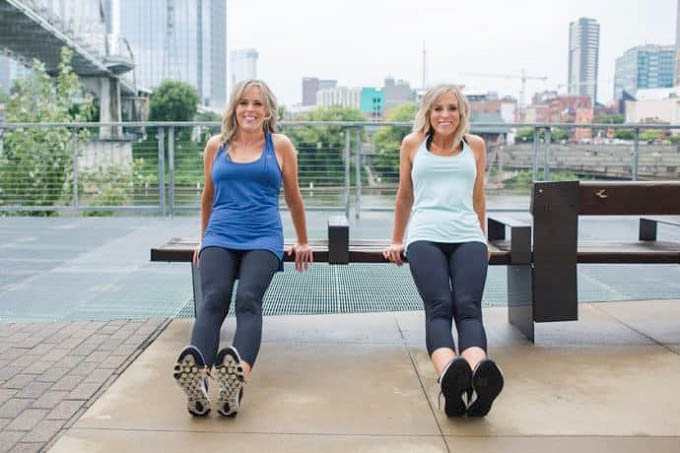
x=363, y=382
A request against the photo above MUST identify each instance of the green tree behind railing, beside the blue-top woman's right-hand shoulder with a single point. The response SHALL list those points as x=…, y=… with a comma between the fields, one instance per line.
x=320, y=149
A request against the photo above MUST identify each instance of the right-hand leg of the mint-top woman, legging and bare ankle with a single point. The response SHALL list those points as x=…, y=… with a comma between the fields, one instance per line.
x=468, y=264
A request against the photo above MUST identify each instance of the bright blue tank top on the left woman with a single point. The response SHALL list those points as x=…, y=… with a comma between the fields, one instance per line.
x=245, y=213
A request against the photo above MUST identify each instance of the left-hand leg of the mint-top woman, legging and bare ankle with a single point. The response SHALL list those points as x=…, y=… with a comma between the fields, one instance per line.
x=429, y=268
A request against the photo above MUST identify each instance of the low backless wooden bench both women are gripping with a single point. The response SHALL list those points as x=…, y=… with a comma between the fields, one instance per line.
x=337, y=249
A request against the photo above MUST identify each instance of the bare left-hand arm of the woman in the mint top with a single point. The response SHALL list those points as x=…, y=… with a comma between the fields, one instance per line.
x=404, y=201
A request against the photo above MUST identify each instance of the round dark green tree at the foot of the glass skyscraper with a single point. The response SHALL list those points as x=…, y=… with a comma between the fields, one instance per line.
x=173, y=101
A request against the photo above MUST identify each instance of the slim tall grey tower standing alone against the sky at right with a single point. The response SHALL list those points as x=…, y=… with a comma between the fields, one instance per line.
x=584, y=43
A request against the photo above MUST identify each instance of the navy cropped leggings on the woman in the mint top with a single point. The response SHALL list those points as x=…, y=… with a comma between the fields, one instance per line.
x=450, y=278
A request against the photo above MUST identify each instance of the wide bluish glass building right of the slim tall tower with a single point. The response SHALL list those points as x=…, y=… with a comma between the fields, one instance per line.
x=648, y=66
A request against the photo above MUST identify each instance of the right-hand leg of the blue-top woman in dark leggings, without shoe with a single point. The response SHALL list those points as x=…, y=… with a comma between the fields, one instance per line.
x=256, y=272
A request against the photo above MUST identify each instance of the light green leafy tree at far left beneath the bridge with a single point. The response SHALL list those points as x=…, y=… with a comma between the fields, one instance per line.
x=36, y=167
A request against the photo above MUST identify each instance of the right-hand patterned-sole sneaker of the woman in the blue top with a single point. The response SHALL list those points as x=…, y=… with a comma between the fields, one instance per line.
x=229, y=374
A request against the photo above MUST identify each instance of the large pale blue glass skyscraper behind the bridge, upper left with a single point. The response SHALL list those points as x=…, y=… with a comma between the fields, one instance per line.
x=179, y=40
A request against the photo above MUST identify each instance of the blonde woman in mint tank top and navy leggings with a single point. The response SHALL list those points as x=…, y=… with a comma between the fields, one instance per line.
x=441, y=200
